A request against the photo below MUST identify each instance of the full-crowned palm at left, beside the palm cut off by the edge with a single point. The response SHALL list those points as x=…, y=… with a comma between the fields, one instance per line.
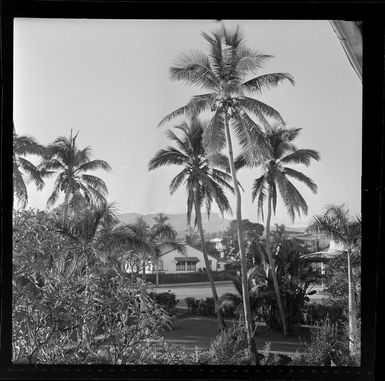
x=71, y=165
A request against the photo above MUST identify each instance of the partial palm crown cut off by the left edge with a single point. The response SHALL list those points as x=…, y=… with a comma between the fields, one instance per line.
x=23, y=169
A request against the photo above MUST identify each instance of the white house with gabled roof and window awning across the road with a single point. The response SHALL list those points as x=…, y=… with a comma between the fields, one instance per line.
x=191, y=260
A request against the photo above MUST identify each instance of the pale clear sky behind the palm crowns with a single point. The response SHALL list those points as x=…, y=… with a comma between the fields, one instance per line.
x=109, y=80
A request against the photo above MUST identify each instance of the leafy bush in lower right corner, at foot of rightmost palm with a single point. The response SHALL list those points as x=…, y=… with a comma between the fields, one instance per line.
x=329, y=345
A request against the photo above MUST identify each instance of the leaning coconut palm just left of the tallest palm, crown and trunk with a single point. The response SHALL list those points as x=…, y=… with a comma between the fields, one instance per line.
x=203, y=182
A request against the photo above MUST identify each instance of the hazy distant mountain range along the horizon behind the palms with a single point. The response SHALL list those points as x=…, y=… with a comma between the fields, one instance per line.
x=179, y=221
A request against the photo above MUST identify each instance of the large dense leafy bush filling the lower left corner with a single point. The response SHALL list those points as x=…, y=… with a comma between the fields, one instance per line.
x=67, y=307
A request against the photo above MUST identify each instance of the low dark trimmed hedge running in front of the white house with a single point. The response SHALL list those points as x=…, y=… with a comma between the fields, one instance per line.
x=190, y=277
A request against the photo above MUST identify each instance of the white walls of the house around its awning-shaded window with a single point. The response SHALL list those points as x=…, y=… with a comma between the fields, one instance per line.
x=169, y=262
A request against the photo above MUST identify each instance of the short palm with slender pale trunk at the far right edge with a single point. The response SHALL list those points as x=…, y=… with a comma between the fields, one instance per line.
x=337, y=224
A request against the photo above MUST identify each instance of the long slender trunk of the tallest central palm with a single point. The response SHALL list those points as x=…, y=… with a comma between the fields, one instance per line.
x=245, y=286
